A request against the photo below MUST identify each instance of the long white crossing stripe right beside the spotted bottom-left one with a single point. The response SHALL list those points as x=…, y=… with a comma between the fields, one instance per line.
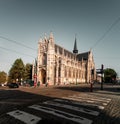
x=62, y=114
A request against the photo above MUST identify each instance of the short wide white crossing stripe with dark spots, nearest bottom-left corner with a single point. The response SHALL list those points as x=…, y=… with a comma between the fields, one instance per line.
x=25, y=117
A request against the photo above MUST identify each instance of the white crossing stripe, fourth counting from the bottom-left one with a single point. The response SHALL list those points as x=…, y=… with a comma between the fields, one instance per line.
x=79, y=103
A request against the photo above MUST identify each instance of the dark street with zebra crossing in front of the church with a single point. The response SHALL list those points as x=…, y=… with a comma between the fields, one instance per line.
x=73, y=104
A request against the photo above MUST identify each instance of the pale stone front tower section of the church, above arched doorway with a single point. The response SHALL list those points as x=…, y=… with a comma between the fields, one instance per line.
x=46, y=49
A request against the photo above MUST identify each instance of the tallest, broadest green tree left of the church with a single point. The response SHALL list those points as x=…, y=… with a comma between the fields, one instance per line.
x=17, y=71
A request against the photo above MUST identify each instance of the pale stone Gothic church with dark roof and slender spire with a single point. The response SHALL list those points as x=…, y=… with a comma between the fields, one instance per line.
x=58, y=66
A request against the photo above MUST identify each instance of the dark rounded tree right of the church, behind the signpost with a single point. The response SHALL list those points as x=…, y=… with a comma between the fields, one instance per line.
x=110, y=75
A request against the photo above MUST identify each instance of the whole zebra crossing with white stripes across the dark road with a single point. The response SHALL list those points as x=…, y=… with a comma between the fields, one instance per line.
x=76, y=109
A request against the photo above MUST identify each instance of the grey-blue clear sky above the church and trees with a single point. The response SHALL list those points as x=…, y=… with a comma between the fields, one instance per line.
x=95, y=23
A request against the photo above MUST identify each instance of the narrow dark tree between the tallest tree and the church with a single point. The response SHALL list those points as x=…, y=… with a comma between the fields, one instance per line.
x=28, y=71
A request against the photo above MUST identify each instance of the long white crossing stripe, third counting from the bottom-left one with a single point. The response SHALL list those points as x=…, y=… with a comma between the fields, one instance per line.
x=79, y=109
